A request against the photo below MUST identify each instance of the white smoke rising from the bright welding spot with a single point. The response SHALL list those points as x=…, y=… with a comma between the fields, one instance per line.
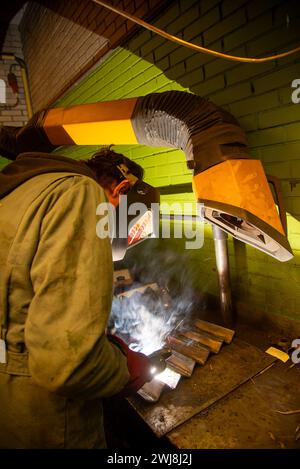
x=144, y=320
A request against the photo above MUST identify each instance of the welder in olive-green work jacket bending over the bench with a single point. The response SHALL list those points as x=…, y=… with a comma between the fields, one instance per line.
x=56, y=362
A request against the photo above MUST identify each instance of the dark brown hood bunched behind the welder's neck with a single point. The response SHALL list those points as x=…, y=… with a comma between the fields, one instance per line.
x=29, y=165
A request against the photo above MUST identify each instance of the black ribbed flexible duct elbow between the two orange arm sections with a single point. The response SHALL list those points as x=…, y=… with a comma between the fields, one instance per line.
x=205, y=132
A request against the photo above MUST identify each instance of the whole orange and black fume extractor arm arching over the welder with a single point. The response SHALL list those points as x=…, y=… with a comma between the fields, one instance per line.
x=230, y=183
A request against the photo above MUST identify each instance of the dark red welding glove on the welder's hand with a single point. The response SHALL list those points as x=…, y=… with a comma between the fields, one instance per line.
x=138, y=364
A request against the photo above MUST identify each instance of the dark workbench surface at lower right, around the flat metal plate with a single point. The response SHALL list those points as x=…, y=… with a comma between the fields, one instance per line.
x=259, y=413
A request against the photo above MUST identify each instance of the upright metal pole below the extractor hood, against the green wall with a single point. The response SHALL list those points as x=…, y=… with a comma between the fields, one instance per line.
x=222, y=261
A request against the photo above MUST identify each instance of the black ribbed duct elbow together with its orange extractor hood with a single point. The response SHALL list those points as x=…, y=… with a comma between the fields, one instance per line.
x=231, y=185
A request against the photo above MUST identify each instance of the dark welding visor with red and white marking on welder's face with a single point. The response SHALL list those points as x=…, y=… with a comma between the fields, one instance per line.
x=134, y=218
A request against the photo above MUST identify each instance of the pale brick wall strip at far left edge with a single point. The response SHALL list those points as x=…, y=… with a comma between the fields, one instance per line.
x=13, y=111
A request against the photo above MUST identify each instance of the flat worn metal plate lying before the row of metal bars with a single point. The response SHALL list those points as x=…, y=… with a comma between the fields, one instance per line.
x=236, y=364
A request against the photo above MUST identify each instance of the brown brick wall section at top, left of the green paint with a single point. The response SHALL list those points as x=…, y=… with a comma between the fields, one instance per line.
x=58, y=49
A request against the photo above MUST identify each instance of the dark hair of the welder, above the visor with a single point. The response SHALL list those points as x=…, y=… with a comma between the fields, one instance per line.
x=104, y=163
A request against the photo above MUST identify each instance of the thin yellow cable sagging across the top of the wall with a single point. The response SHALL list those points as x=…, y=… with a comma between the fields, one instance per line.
x=190, y=45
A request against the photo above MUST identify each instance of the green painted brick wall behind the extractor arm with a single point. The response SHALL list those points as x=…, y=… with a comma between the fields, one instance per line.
x=259, y=95
